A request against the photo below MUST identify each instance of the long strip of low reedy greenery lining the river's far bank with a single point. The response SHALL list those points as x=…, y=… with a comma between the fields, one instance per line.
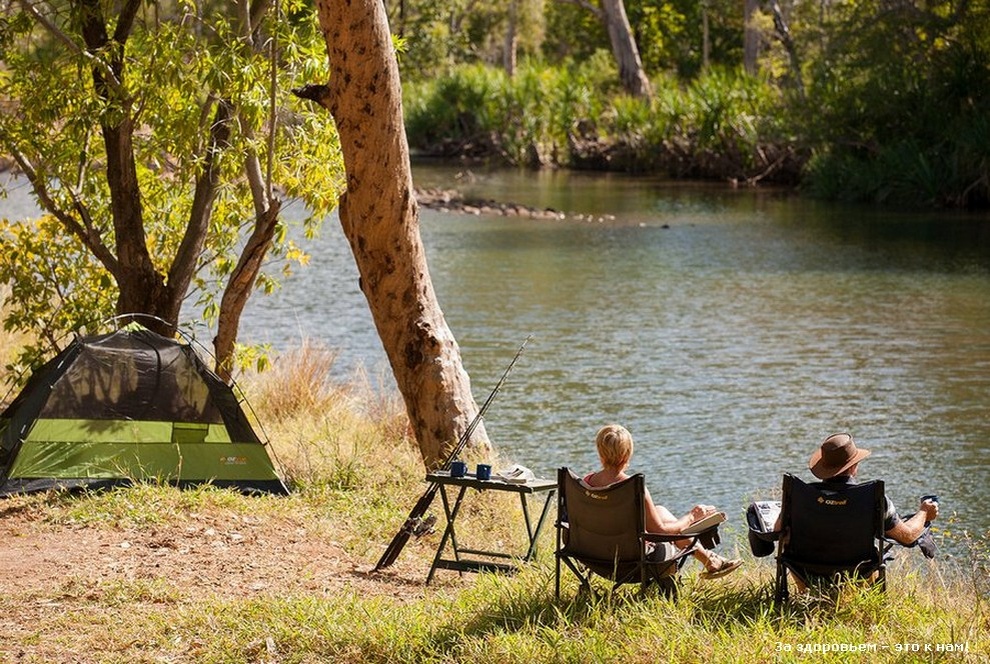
x=851, y=139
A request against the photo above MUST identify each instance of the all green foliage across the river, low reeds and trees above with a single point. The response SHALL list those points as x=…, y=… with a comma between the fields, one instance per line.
x=889, y=102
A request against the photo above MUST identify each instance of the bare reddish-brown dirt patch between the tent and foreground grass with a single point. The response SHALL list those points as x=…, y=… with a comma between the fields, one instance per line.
x=226, y=556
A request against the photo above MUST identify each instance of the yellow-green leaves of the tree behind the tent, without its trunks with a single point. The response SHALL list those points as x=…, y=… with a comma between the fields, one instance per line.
x=177, y=64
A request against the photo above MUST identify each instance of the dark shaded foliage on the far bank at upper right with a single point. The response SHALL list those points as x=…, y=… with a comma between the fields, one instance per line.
x=901, y=97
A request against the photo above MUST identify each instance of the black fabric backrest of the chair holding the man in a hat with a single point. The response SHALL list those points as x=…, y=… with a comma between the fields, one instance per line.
x=832, y=525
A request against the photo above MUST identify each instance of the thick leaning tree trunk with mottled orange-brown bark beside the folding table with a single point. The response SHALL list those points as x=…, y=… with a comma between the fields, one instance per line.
x=380, y=218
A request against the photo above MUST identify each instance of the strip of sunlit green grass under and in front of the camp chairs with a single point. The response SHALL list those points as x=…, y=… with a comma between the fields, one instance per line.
x=515, y=619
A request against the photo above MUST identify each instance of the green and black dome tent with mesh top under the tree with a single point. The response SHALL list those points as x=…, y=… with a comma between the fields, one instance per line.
x=128, y=406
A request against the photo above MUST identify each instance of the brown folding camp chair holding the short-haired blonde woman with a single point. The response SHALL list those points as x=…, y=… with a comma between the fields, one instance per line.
x=602, y=532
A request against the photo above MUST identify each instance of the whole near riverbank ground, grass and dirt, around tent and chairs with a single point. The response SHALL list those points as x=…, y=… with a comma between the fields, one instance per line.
x=356, y=475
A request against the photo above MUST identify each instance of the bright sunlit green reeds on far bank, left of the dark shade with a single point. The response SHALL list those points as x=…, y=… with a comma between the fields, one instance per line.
x=718, y=126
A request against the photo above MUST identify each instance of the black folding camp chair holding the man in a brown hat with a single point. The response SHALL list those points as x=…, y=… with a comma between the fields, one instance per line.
x=830, y=533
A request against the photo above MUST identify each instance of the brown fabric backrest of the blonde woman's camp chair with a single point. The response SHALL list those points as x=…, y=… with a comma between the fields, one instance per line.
x=603, y=524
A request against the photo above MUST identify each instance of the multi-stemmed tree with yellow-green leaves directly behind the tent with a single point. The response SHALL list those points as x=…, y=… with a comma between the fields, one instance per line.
x=160, y=139
